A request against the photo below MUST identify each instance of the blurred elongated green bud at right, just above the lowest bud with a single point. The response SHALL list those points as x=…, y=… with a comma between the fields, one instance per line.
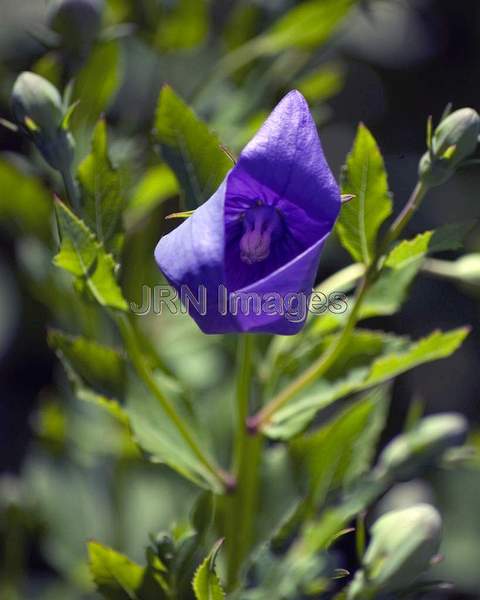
x=405, y=455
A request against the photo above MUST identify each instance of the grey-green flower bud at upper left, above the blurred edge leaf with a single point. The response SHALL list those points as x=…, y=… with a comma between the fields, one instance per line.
x=39, y=111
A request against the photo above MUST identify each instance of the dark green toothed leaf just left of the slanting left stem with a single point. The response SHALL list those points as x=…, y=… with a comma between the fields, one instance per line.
x=100, y=367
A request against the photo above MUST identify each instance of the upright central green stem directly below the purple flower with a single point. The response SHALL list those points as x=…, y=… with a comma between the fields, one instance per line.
x=242, y=505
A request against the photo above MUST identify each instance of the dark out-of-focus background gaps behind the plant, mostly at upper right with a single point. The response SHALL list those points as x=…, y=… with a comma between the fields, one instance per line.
x=399, y=62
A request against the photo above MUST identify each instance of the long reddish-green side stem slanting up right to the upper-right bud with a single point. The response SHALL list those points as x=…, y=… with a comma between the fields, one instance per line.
x=328, y=359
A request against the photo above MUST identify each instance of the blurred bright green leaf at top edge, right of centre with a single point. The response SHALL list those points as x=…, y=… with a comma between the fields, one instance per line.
x=307, y=25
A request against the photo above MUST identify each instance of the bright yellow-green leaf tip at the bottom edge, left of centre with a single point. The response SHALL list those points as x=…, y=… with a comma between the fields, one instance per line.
x=115, y=575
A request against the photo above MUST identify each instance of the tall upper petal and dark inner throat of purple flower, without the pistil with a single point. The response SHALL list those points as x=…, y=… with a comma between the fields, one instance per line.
x=283, y=166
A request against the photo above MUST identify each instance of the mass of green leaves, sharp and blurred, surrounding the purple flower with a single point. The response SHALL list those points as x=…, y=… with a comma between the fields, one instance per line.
x=106, y=465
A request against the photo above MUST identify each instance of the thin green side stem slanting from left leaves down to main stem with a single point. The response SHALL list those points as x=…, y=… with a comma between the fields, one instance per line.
x=133, y=348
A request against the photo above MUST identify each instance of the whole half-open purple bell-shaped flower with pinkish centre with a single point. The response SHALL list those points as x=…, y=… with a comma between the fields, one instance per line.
x=254, y=247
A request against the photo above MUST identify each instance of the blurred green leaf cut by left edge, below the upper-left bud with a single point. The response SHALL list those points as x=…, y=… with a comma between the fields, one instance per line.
x=24, y=201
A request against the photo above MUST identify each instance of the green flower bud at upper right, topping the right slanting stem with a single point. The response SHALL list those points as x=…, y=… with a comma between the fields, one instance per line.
x=454, y=140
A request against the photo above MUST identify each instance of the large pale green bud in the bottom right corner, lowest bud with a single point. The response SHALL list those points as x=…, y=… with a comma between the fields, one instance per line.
x=402, y=547
